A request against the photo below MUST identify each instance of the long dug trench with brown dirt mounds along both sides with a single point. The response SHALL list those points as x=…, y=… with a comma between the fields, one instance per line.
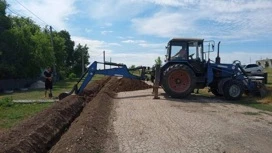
x=74, y=124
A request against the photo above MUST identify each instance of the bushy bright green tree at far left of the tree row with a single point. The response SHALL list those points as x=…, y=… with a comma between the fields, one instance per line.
x=25, y=49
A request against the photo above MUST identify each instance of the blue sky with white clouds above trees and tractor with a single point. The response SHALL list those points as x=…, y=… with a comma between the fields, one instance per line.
x=135, y=32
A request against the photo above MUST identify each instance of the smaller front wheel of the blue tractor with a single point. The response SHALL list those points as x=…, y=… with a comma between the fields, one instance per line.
x=233, y=90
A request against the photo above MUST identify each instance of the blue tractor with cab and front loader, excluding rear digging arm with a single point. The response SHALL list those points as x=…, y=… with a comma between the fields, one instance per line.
x=187, y=68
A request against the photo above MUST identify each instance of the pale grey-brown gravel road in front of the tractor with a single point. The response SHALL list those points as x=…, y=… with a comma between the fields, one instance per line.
x=198, y=124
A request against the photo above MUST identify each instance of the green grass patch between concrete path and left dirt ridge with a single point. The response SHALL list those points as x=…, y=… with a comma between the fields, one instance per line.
x=12, y=113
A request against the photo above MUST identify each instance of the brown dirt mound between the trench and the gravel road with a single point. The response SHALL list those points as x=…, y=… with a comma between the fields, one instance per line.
x=90, y=131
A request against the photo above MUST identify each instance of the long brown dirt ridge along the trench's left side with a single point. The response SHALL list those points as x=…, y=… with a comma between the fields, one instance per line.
x=40, y=132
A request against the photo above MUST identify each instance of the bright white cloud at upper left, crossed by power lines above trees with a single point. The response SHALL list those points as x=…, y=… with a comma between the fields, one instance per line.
x=55, y=13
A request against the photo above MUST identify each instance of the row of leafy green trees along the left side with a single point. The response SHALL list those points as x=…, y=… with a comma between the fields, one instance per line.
x=26, y=49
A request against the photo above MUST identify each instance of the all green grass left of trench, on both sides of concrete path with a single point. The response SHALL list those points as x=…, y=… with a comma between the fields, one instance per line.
x=13, y=113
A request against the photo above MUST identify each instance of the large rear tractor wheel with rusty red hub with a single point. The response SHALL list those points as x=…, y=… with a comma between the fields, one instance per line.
x=179, y=81
